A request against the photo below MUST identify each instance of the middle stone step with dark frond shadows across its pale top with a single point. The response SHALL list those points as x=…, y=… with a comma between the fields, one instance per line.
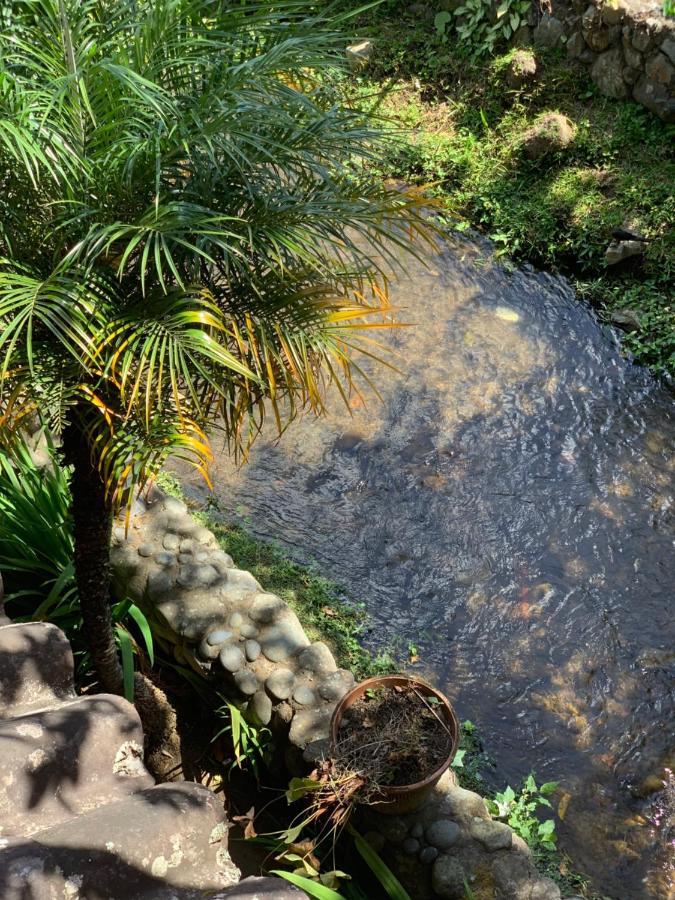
x=68, y=759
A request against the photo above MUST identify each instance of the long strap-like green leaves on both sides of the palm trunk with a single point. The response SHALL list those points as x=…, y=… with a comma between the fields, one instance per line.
x=36, y=558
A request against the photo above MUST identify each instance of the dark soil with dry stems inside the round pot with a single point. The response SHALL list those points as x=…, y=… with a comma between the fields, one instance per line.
x=394, y=736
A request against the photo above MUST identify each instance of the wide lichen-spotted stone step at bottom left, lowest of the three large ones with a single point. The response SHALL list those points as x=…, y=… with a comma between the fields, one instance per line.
x=167, y=842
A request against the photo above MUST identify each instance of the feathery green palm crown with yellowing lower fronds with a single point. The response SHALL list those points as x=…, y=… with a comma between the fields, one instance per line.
x=189, y=235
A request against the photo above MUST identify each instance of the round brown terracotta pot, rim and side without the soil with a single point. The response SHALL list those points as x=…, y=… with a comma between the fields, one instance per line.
x=399, y=799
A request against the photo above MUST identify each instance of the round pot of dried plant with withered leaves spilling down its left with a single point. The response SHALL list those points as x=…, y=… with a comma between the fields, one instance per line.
x=391, y=740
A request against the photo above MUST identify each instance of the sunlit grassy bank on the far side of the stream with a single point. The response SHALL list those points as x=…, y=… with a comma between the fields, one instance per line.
x=463, y=129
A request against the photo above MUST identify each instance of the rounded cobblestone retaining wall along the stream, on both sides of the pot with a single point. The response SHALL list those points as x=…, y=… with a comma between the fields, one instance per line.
x=222, y=623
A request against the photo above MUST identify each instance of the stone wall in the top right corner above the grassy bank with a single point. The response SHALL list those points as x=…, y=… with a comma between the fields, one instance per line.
x=628, y=46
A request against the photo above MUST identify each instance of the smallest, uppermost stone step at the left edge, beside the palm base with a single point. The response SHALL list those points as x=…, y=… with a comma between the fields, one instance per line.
x=36, y=668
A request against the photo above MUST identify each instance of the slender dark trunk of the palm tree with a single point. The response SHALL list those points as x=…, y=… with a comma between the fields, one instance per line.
x=92, y=527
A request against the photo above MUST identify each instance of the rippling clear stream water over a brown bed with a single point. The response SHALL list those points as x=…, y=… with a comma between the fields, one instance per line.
x=508, y=509
